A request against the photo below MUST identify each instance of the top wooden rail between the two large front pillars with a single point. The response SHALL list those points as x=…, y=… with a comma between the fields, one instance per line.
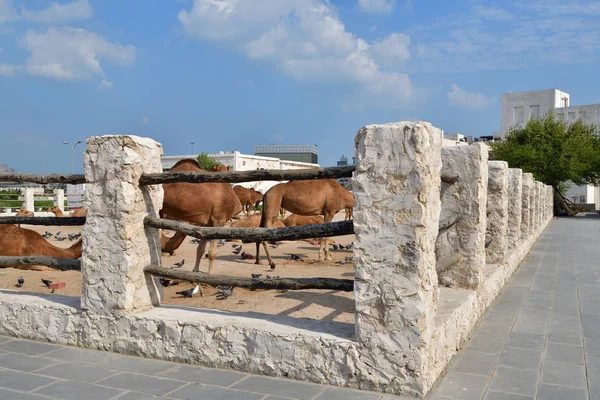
x=247, y=176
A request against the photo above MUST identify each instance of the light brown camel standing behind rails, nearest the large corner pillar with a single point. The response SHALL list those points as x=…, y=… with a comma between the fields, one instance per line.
x=307, y=197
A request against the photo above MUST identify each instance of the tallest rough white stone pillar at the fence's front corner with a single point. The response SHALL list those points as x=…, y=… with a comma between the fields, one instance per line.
x=397, y=191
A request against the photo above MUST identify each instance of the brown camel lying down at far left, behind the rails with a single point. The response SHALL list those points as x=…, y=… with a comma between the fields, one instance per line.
x=15, y=241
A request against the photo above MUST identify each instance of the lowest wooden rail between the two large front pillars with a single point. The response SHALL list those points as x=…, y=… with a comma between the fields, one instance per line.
x=346, y=285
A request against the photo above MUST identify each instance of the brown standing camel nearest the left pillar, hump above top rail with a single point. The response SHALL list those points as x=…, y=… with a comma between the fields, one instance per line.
x=204, y=204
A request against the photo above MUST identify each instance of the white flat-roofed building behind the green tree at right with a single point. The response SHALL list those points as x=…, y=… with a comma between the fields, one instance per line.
x=520, y=107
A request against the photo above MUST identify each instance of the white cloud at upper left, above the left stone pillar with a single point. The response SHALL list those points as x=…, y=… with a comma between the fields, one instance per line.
x=72, y=54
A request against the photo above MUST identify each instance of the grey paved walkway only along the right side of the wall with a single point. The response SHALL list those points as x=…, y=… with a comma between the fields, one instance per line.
x=541, y=339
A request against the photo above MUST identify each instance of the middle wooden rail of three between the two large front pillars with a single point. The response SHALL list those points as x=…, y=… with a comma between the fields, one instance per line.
x=255, y=234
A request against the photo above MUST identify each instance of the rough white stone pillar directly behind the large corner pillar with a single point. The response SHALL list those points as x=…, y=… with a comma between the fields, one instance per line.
x=467, y=199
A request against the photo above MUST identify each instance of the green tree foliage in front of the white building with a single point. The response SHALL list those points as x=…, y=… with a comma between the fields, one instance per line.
x=553, y=151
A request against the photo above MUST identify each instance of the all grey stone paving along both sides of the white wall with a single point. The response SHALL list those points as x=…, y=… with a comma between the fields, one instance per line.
x=540, y=340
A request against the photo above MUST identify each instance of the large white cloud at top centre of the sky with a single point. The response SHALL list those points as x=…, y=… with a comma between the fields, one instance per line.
x=305, y=38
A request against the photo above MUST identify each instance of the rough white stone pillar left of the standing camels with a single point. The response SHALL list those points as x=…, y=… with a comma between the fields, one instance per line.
x=115, y=253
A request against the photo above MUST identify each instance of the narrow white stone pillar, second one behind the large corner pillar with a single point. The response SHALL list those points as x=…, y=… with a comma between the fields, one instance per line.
x=497, y=212
